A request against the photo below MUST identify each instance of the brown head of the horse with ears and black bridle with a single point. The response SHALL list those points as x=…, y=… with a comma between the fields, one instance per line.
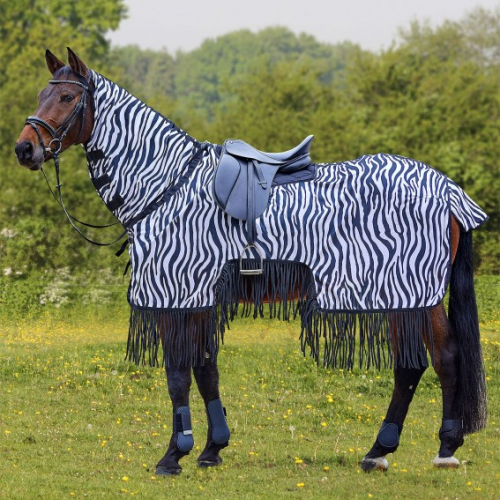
x=64, y=115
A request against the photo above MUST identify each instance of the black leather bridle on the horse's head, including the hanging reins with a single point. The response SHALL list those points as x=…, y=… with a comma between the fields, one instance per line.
x=54, y=147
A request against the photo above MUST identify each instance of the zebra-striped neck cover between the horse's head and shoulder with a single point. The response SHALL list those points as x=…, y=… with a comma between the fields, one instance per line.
x=144, y=152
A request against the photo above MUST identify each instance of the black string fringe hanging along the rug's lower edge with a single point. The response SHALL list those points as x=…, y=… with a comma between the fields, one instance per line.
x=192, y=336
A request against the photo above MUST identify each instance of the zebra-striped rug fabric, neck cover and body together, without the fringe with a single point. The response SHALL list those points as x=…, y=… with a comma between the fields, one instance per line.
x=373, y=233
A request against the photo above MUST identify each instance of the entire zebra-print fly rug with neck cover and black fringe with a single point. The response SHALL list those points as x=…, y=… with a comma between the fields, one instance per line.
x=363, y=241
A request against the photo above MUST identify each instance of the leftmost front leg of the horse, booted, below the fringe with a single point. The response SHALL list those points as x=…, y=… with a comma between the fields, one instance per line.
x=181, y=442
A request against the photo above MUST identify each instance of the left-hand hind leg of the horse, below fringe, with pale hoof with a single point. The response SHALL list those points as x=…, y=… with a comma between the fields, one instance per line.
x=405, y=385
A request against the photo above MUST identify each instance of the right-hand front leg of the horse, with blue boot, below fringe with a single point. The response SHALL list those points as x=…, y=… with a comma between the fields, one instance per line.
x=207, y=379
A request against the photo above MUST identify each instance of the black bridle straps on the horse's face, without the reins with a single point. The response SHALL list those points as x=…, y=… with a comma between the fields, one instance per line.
x=60, y=133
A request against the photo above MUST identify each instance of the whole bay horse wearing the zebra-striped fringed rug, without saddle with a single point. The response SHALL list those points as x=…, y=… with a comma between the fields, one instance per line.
x=79, y=106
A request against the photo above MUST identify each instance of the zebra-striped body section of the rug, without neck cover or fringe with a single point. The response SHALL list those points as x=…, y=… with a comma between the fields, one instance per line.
x=374, y=232
